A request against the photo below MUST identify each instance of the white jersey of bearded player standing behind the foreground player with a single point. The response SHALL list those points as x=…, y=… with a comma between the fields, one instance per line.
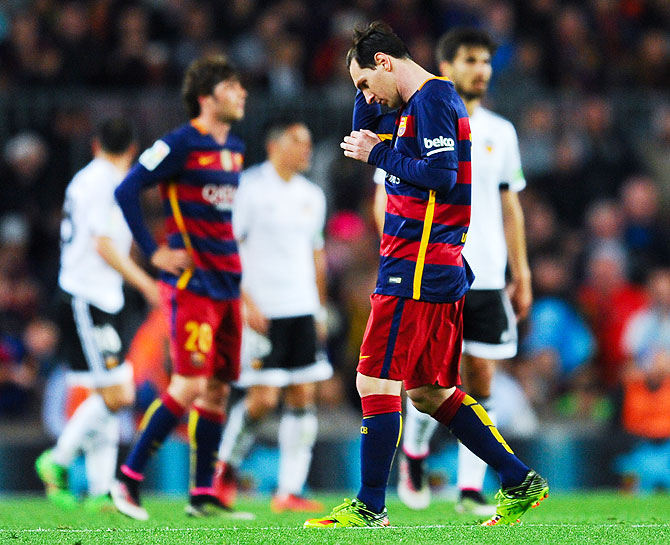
x=495, y=161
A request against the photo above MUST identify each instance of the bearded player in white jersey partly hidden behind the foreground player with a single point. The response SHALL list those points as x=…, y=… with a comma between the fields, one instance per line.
x=496, y=235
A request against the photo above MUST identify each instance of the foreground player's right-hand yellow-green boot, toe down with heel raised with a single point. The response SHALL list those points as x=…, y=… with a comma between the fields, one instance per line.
x=514, y=501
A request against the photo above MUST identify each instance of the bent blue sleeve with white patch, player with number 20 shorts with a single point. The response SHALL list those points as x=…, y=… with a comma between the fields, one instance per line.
x=162, y=161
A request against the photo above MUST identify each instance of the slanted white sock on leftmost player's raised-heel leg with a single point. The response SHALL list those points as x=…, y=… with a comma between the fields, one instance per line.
x=83, y=423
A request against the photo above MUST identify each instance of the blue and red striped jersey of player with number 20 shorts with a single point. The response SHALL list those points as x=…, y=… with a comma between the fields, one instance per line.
x=198, y=178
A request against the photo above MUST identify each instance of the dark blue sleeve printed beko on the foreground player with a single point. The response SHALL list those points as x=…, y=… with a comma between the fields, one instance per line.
x=436, y=134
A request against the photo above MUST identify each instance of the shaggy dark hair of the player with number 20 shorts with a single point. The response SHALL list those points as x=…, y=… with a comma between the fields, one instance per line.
x=201, y=77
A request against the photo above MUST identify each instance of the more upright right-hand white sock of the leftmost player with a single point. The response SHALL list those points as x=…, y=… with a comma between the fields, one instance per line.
x=101, y=453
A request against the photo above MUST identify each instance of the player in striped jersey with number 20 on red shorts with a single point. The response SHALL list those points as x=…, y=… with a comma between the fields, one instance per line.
x=197, y=168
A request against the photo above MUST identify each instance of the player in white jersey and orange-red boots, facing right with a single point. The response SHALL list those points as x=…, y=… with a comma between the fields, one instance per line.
x=278, y=217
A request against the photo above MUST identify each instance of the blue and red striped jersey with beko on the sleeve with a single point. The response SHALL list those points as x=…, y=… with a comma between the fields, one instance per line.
x=428, y=187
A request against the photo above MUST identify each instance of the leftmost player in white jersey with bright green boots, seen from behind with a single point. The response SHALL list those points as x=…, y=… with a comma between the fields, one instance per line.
x=95, y=246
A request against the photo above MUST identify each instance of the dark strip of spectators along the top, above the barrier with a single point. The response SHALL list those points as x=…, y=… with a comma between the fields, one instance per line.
x=285, y=45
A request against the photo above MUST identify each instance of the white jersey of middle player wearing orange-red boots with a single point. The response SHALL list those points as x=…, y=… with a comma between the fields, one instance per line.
x=279, y=225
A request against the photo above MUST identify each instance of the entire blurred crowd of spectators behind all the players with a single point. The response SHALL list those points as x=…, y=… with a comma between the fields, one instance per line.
x=586, y=84
